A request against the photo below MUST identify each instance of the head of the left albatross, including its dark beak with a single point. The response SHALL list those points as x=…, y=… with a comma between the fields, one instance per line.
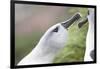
x=57, y=35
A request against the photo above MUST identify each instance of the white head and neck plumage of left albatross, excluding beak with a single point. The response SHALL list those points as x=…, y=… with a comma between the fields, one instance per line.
x=47, y=47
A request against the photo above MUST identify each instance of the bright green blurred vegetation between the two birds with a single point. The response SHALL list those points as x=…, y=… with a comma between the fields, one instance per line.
x=75, y=47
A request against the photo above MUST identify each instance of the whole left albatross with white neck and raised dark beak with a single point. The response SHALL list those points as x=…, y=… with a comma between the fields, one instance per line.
x=50, y=43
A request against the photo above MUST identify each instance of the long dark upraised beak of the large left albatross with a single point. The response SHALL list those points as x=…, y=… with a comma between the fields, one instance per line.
x=70, y=21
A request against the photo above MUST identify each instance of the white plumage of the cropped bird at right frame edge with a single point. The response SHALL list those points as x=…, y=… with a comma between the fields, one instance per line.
x=90, y=36
